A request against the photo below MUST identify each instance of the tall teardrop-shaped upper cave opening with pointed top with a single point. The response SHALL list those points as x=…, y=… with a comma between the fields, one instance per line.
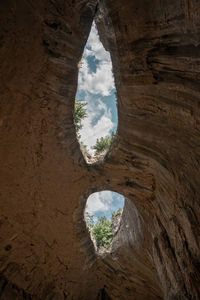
x=95, y=112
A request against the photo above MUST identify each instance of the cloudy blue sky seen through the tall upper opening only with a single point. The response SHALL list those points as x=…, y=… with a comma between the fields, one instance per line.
x=96, y=87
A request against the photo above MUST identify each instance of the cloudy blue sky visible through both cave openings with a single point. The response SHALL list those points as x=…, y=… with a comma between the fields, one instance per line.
x=96, y=87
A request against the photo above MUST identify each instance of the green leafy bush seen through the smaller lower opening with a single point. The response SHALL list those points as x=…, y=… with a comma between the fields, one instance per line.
x=102, y=232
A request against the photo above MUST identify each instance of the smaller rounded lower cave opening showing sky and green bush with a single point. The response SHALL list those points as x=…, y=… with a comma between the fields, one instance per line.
x=103, y=213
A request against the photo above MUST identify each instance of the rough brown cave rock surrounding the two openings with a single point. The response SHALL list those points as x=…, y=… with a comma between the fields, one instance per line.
x=45, y=249
